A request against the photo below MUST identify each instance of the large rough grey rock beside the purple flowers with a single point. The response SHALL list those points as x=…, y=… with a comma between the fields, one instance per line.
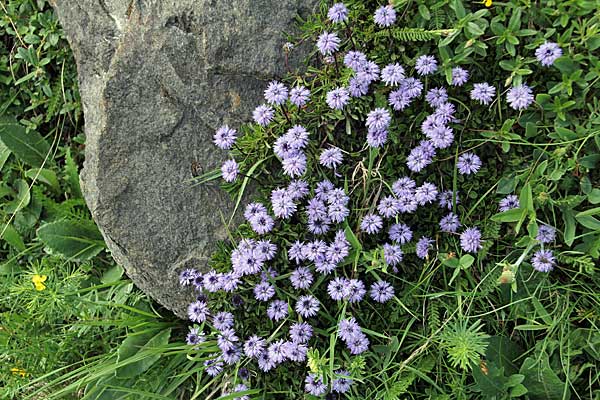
x=157, y=78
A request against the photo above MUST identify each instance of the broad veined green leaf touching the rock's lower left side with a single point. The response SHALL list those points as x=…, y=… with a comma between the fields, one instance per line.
x=77, y=240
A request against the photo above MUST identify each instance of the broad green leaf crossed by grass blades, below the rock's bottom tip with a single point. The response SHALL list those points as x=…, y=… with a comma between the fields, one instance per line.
x=148, y=354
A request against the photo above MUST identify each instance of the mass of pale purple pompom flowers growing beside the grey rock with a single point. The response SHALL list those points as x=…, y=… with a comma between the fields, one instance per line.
x=296, y=262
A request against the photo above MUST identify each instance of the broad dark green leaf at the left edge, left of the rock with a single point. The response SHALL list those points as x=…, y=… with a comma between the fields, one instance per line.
x=30, y=147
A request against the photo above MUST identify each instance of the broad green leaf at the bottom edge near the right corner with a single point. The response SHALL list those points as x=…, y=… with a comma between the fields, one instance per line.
x=541, y=381
